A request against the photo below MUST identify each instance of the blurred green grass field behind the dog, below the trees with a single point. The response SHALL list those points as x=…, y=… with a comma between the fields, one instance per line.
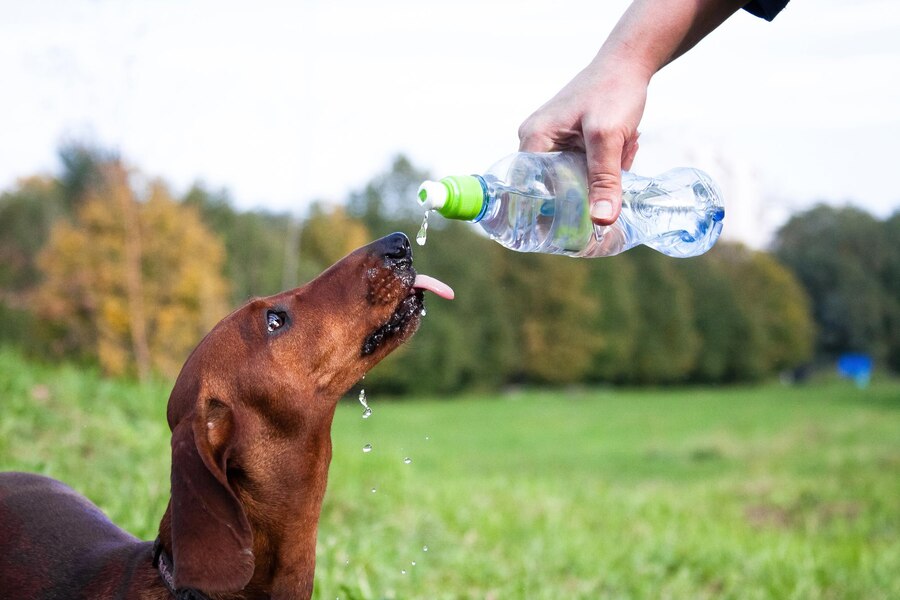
x=757, y=492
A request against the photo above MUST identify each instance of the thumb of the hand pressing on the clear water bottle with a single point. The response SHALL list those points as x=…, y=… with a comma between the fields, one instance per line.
x=604, y=166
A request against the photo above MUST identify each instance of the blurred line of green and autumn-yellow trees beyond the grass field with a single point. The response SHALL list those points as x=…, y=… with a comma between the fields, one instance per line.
x=103, y=265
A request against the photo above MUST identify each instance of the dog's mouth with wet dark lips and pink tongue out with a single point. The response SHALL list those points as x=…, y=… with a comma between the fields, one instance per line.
x=410, y=287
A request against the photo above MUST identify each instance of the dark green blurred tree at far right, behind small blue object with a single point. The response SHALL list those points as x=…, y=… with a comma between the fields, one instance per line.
x=840, y=256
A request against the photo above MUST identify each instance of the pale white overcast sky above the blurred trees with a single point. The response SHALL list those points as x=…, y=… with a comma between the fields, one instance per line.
x=289, y=102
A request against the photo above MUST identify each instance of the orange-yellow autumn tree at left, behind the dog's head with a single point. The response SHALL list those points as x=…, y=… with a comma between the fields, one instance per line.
x=133, y=285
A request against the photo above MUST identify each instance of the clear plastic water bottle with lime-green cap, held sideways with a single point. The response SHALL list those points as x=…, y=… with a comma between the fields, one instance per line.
x=537, y=202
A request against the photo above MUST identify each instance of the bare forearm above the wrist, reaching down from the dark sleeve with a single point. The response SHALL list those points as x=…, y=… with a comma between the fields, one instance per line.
x=653, y=33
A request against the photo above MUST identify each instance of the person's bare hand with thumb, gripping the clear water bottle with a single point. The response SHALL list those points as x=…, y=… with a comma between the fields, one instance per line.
x=597, y=112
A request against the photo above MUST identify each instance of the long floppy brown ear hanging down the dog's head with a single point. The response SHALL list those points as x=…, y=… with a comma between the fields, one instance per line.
x=211, y=536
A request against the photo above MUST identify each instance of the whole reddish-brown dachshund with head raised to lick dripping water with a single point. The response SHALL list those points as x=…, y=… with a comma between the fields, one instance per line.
x=251, y=417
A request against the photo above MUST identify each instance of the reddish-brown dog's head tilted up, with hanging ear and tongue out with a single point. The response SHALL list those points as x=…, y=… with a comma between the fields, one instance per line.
x=251, y=410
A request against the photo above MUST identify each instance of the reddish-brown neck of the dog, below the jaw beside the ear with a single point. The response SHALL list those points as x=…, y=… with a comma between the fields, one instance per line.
x=284, y=533
